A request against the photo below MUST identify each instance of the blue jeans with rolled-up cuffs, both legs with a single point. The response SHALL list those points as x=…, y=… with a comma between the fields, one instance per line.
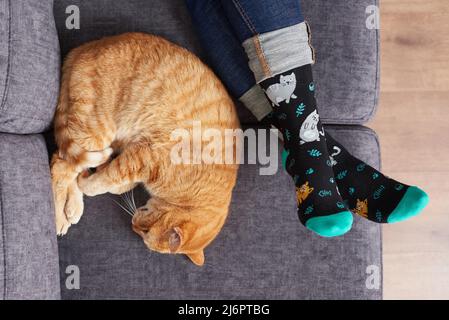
x=230, y=31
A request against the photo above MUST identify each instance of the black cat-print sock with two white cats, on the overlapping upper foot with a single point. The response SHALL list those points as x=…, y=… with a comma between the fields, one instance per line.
x=320, y=206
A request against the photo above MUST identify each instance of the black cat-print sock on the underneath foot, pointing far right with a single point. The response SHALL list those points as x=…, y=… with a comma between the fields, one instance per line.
x=367, y=191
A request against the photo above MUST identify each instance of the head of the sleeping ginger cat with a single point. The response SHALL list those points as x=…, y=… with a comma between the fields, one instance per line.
x=167, y=228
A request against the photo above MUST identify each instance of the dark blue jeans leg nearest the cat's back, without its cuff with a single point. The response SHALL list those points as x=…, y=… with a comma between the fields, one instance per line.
x=224, y=51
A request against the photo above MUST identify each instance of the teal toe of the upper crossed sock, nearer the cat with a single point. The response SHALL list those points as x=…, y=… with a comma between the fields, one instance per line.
x=331, y=226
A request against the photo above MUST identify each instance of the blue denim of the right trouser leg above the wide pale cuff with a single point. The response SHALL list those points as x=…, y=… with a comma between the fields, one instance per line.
x=252, y=17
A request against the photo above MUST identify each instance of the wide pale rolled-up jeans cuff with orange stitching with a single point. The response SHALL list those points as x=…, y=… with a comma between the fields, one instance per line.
x=278, y=51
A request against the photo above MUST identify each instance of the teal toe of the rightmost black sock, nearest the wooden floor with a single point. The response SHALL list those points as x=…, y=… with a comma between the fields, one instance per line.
x=411, y=204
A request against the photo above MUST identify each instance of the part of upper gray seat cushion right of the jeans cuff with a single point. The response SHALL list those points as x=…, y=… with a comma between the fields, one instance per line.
x=347, y=54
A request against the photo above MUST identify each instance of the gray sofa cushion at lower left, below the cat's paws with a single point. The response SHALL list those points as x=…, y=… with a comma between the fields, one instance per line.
x=29, y=263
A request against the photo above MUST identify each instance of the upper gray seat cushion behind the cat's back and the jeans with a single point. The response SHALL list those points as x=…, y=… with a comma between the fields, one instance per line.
x=347, y=57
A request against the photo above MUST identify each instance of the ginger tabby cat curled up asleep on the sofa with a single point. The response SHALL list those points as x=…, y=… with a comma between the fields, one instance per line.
x=124, y=95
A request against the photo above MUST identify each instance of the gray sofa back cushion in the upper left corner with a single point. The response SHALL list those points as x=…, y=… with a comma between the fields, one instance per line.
x=29, y=65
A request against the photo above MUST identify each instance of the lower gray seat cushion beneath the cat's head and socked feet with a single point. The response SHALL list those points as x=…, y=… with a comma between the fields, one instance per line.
x=262, y=252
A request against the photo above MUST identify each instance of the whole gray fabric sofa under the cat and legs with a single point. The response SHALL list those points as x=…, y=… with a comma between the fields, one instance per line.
x=263, y=251
